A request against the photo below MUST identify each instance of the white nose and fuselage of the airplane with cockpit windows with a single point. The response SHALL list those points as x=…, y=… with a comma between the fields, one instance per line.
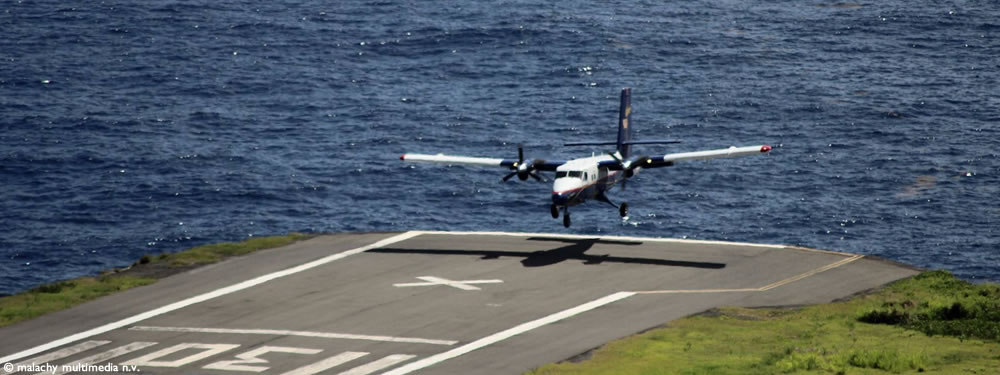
x=580, y=180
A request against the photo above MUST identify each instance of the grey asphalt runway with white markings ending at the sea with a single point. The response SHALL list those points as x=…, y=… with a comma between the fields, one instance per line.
x=426, y=303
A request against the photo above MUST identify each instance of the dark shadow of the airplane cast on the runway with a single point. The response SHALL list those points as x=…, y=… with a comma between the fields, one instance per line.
x=574, y=250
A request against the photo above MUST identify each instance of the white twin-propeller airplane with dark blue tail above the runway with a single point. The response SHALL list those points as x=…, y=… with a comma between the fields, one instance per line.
x=590, y=178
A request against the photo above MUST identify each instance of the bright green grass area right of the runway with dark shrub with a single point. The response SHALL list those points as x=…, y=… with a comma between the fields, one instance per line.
x=932, y=323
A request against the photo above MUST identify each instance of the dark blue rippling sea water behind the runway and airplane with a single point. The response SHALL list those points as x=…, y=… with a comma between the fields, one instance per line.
x=133, y=127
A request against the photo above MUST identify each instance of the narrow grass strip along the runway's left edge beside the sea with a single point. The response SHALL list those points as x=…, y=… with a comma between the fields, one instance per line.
x=65, y=294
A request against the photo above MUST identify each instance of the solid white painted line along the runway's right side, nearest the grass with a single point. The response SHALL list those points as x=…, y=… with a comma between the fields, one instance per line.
x=508, y=333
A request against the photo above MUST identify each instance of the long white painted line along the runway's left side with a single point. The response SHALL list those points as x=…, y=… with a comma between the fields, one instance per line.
x=204, y=297
